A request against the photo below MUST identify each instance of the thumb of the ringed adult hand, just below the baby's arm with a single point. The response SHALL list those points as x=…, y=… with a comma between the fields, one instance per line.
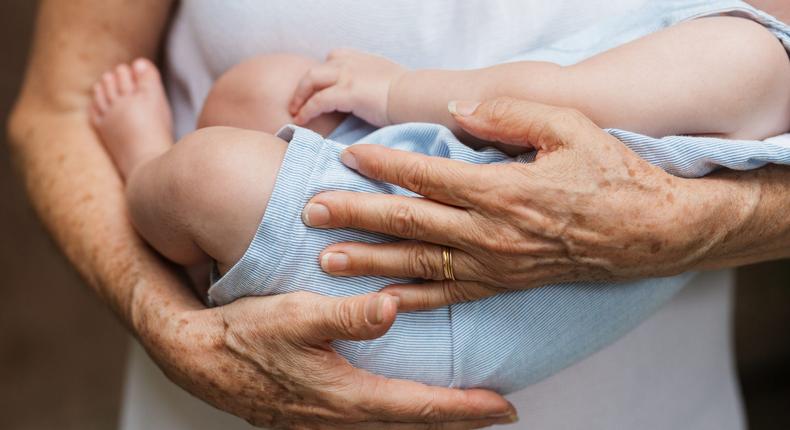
x=520, y=122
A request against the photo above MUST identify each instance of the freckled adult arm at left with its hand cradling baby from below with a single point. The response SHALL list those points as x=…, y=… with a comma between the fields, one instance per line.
x=267, y=360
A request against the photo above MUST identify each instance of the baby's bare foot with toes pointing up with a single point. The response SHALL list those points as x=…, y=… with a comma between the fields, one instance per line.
x=131, y=114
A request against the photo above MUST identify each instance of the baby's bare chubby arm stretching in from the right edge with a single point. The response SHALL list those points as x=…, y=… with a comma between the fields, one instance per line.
x=722, y=76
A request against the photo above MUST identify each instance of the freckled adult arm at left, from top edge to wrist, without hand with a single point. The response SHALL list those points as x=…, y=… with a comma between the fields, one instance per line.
x=71, y=182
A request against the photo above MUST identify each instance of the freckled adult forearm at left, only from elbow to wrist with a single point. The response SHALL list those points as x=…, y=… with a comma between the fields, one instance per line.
x=76, y=193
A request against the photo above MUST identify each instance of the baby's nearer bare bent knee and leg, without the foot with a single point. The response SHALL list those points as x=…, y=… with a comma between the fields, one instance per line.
x=206, y=196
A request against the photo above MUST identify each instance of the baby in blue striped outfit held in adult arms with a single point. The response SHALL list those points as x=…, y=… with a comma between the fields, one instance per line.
x=231, y=193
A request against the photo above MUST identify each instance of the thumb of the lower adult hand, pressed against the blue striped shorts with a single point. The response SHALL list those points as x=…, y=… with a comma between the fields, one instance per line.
x=349, y=318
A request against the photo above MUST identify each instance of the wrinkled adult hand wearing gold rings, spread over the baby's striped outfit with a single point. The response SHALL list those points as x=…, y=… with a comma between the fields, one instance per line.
x=588, y=208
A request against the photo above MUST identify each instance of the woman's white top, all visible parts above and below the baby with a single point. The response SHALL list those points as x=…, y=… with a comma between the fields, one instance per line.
x=673, y=371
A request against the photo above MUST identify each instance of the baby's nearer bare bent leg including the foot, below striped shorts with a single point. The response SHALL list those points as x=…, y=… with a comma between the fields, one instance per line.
x=198, y=200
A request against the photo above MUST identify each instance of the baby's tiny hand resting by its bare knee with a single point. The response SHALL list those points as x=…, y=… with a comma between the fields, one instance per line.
x=349, y=81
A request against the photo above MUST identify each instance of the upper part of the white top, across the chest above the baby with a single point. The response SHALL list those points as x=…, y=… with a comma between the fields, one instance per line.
x=208, y=36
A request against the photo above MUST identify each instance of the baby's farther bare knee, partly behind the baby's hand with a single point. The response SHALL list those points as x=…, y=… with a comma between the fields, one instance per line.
x=255, y=94
